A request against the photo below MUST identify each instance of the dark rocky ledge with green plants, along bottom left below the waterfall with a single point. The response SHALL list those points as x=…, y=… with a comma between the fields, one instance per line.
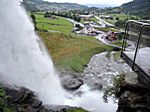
x=24, y=100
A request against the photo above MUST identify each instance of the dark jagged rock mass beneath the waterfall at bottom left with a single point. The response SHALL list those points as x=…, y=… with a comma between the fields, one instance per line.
x=23, y=100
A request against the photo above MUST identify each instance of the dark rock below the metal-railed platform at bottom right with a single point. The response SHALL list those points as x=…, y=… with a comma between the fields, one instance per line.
x=133, y=102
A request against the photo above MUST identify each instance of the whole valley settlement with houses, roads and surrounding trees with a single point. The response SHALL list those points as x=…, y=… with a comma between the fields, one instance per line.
x=91, y=23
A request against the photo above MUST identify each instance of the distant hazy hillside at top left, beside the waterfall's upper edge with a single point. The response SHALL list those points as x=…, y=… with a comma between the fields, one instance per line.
x=47, y=6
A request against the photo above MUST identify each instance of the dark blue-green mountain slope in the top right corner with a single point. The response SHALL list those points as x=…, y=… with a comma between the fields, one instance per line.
x=138, y=7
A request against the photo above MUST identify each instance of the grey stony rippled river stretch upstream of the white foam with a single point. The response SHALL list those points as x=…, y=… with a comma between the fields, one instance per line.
x=102, y=69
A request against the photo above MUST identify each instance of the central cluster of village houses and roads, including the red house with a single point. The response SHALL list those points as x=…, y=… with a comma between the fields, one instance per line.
x=96, y=28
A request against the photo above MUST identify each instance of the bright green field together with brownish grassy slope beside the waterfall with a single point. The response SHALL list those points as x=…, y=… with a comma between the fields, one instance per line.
x=69, y=51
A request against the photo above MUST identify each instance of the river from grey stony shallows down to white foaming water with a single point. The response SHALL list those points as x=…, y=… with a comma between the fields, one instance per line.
x=98, y=74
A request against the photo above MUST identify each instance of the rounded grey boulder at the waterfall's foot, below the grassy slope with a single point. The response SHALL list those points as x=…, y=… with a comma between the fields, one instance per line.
x=72, y=83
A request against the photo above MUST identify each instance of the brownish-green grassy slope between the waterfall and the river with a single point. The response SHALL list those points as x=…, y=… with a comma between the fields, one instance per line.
x=72, y=52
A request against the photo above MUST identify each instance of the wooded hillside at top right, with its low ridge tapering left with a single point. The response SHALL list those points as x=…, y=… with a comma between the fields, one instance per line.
x=135, y=7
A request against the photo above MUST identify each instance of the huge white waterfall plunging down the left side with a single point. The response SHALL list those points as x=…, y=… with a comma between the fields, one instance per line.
x=23, y=59
